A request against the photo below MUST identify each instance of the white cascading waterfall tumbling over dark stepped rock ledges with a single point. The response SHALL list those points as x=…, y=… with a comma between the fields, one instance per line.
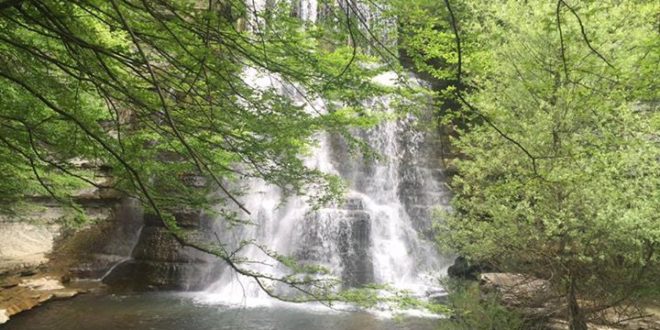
x=380, y=234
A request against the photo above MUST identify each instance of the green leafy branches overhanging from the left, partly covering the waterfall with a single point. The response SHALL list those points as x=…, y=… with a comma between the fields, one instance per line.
x=163, y=91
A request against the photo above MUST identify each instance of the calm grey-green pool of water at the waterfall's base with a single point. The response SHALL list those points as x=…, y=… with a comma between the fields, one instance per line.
x=170, y=311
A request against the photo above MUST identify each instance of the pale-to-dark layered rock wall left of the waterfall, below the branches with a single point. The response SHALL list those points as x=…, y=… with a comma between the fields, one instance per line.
x=117, y=244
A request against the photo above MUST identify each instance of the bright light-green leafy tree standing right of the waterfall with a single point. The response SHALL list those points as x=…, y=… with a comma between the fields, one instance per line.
x=559, y=172
